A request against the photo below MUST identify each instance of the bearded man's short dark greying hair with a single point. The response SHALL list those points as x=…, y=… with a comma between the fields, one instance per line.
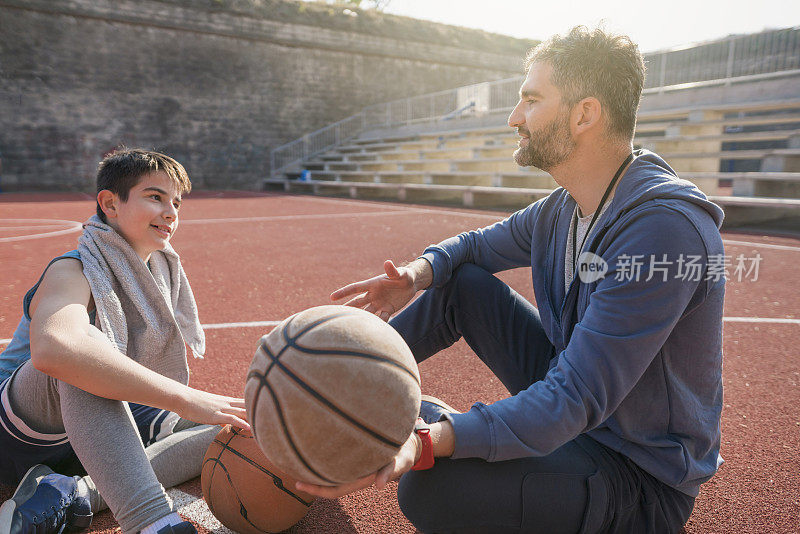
x=596, y=63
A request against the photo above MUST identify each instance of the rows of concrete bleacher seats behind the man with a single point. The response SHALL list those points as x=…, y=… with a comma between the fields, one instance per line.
x=473, y=165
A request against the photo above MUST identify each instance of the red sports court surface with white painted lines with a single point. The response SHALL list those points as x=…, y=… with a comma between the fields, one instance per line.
x=262, y=257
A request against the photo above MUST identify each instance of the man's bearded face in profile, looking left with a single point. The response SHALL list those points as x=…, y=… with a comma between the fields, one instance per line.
x=542, y=121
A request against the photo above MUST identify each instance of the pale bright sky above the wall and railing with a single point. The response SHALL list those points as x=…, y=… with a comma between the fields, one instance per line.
x=653, y=25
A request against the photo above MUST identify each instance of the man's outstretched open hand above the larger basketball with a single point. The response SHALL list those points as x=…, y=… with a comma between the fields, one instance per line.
x=386, y=294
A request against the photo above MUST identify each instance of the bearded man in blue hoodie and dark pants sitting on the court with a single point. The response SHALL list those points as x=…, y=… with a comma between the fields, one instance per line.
x=615, y=380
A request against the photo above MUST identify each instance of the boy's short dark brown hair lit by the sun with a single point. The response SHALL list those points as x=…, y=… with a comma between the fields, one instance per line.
x=120, y=171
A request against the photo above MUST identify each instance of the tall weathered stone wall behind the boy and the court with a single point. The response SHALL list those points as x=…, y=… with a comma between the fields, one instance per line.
x=214, y=83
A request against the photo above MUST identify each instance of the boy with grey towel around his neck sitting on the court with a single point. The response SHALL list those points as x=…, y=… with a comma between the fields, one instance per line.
x=107, y=325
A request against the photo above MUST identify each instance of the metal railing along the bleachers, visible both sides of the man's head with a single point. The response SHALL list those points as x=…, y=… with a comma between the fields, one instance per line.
x=751, y=56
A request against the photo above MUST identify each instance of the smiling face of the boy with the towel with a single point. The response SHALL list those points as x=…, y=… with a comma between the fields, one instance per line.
x=149, y=218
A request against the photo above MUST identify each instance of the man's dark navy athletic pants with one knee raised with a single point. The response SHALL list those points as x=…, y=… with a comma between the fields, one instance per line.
x=582, y=486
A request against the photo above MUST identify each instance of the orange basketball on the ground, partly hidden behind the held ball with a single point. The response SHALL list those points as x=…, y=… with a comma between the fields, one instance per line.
x=244, y=490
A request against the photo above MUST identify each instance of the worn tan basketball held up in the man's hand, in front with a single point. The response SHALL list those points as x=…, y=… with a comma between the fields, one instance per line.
x=332, y=394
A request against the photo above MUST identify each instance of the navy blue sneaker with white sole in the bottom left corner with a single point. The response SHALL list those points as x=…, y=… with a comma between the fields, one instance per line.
x=45, y=503
